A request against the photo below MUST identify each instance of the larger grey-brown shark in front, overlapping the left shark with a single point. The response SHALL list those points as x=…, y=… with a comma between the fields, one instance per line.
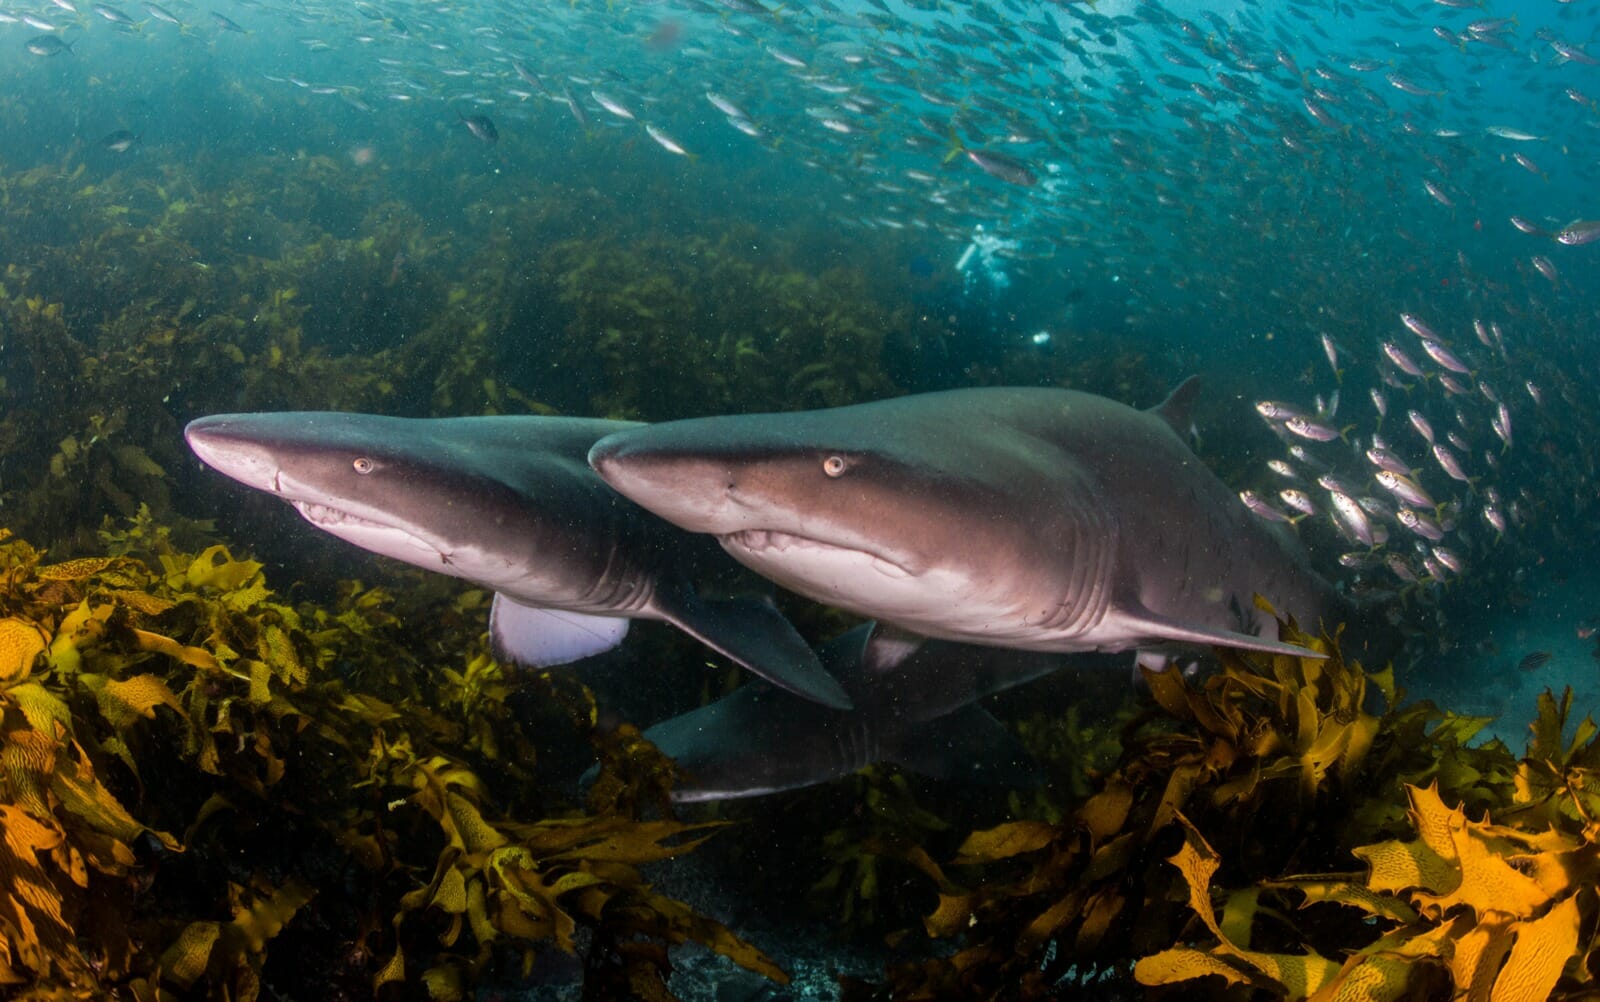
x=1036, y=519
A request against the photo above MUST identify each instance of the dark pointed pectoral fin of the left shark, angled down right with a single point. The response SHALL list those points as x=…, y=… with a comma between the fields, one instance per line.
x=758, y=636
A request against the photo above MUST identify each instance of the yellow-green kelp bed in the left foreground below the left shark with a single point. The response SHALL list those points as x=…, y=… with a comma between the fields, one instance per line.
x=186, y=761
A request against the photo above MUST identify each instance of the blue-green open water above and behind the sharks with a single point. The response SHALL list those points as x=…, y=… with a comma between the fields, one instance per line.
x=1170, y=190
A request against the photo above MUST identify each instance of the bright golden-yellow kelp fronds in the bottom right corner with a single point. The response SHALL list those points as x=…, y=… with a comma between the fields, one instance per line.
x=1465, y=908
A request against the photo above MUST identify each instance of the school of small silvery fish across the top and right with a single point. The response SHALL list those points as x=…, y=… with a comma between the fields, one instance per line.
x=1402, y=198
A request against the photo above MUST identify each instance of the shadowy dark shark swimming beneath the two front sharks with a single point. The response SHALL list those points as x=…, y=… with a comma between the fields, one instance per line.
x=916, y=707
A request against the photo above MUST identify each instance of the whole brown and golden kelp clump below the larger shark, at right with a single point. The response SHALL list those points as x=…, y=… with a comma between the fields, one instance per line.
x=1289, y=764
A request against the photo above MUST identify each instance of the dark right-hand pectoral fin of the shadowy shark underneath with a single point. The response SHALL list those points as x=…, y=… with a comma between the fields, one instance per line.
x=969, y=747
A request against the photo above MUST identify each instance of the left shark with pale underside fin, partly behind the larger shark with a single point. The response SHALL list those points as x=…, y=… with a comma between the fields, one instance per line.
x=511, y=505
